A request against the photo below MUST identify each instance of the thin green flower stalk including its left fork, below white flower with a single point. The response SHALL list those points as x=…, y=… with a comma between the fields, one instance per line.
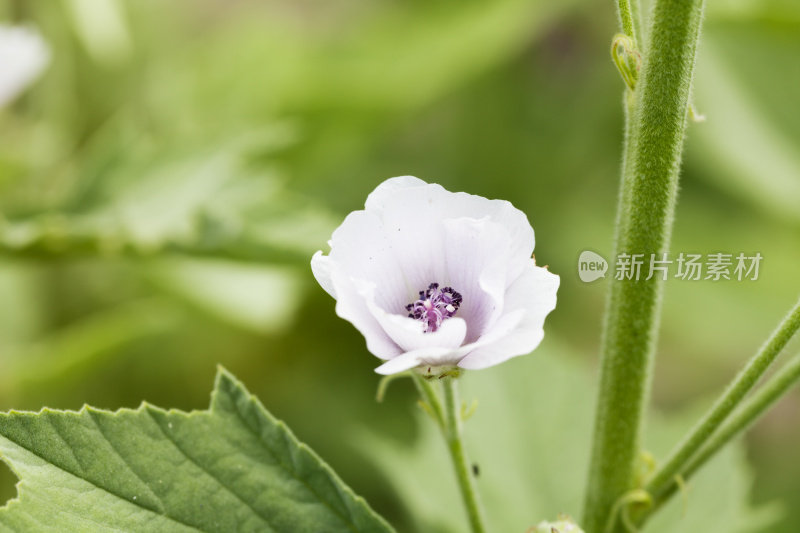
x=448, y=417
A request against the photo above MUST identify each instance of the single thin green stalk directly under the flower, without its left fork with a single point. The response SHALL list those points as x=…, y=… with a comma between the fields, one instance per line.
x=455, y=443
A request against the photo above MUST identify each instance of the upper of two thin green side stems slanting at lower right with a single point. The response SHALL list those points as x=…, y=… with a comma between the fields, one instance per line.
x=730, y=399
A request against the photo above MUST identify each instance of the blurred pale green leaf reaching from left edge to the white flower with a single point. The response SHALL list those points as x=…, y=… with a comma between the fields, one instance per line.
x=206, y=203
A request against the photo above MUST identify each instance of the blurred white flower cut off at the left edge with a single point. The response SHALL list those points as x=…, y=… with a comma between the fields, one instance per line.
x=23, y=56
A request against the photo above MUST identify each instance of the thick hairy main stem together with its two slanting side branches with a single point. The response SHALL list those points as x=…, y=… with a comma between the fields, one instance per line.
x=656, y=108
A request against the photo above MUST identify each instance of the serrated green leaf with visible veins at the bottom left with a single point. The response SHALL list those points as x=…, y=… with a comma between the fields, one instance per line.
x=231, y=468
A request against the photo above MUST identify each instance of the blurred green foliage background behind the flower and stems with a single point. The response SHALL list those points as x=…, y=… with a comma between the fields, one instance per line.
x=164, y=184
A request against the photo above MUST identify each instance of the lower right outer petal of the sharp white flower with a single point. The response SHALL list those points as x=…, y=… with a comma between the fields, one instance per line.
x=534, y=294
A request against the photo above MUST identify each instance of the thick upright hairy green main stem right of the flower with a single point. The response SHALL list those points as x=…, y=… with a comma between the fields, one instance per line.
x=654, y=142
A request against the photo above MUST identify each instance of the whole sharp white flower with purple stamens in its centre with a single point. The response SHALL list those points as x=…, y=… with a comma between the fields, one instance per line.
x=434, y=278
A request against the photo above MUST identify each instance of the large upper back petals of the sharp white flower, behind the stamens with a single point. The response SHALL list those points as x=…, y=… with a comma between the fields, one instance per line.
x=398, y=241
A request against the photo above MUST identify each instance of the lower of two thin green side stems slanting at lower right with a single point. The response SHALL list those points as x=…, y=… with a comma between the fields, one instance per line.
x=744, y=416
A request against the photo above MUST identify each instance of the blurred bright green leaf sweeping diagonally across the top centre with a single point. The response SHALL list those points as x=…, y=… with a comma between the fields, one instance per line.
x=409, y=54
